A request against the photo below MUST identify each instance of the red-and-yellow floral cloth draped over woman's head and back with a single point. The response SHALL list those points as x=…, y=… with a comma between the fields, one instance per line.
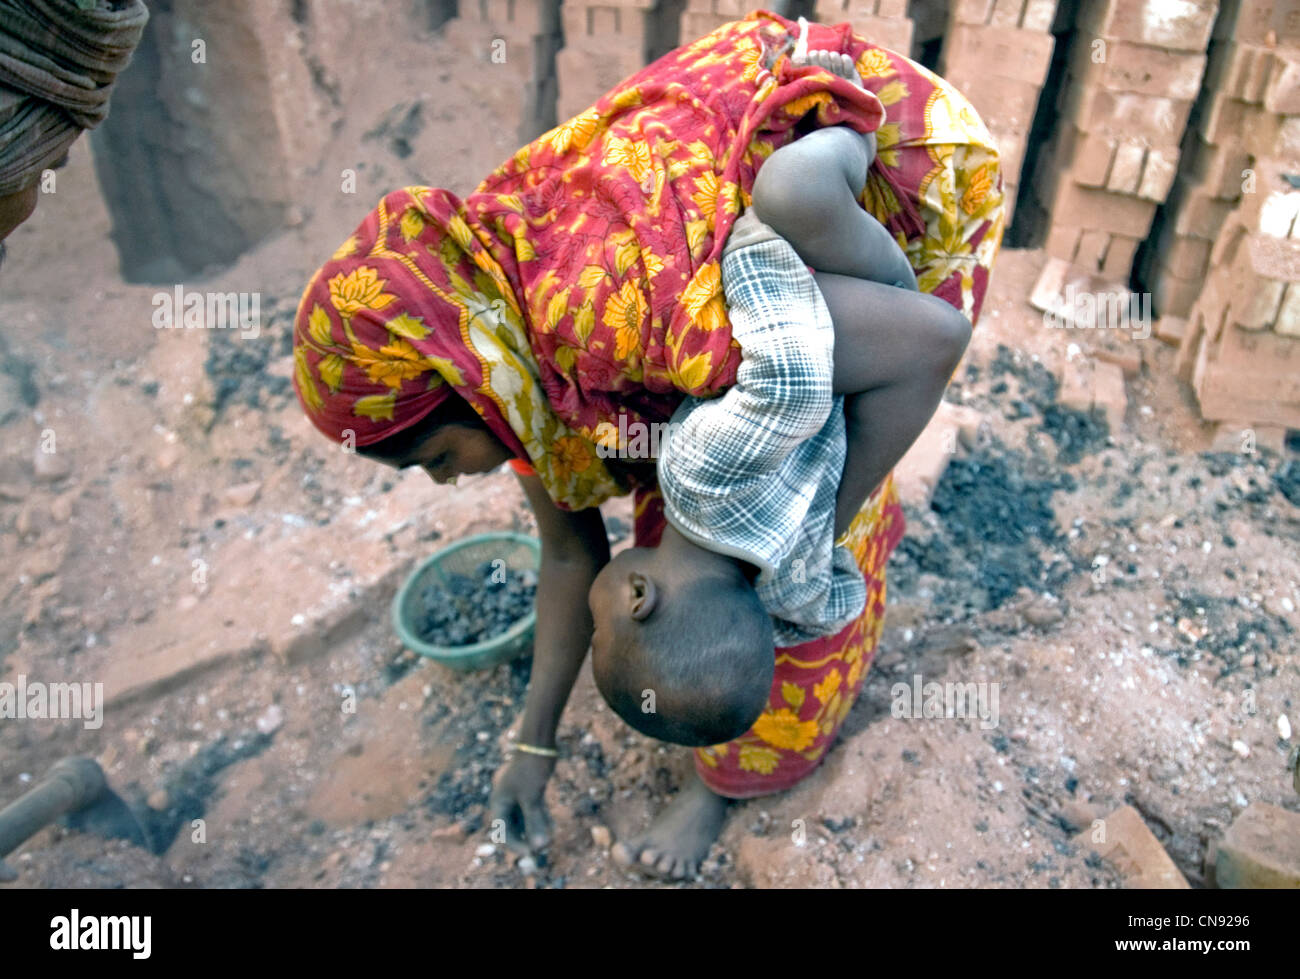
x=580, y=281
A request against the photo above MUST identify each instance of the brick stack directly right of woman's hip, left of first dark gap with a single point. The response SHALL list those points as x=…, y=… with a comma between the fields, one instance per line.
x=998, y=54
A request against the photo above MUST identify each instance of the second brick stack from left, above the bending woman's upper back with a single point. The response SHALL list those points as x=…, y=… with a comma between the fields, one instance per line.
x=604, y=44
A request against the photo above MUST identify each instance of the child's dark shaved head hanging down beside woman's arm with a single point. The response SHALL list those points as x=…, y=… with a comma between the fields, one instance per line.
x=683, y=649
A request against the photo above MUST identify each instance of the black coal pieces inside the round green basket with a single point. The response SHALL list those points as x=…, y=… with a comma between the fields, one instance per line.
x=475, y=608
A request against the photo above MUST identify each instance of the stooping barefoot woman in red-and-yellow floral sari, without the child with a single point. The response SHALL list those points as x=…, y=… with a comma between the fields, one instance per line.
x=579, y=288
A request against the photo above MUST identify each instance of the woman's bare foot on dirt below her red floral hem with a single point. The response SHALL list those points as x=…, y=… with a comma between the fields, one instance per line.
x=679, y=839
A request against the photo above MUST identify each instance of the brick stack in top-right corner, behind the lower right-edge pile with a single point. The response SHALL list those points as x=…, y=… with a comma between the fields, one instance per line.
x=1249, y=111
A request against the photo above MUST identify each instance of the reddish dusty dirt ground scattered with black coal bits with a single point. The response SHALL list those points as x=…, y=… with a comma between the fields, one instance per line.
x=227, y=575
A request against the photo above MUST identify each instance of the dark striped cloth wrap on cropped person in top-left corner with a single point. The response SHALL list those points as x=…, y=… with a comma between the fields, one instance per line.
x=59, y=60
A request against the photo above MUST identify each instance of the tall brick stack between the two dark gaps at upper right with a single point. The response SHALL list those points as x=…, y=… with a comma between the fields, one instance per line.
x=1133, y=75
